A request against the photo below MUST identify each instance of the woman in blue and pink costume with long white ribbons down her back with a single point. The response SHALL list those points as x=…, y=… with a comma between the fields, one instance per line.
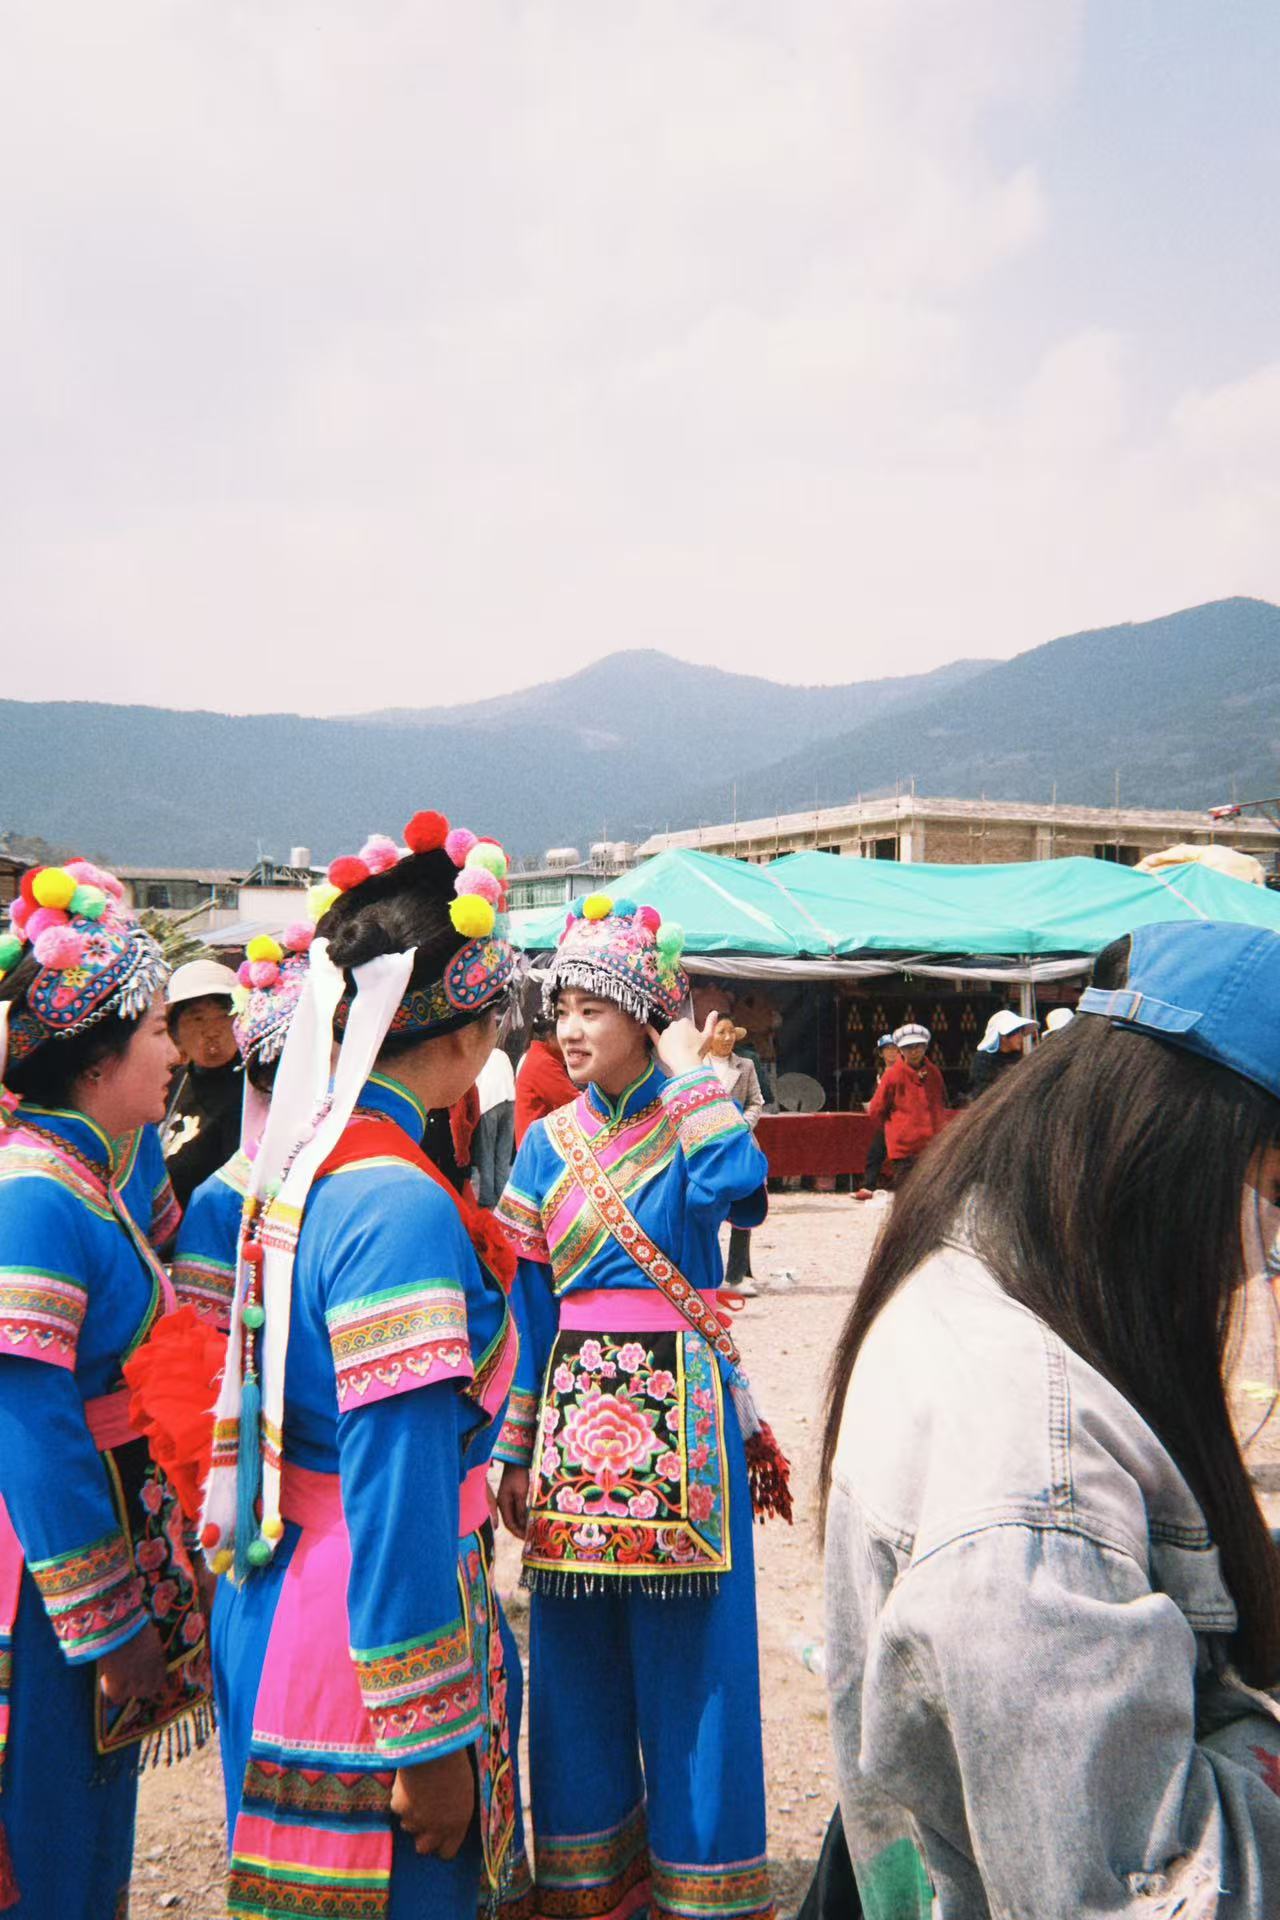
x=360, y=1650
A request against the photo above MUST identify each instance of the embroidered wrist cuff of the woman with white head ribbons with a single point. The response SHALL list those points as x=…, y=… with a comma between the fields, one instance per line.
x=423, y=1696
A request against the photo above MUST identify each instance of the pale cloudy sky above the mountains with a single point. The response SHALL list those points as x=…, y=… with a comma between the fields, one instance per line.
x=400, y=352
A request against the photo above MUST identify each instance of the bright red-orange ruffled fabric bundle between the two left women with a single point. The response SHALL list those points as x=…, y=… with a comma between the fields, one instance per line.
x=174, y=1383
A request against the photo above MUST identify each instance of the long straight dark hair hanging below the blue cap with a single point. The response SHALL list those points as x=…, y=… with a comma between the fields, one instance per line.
x=1102, y=1186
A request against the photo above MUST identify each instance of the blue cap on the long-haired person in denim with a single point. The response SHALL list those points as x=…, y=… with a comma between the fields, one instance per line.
x=1206, y=986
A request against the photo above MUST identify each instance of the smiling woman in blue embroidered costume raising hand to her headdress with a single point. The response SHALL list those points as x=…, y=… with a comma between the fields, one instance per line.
x=627, y=1470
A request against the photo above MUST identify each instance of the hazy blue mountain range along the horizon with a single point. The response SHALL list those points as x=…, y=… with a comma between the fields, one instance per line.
x=1185, y=709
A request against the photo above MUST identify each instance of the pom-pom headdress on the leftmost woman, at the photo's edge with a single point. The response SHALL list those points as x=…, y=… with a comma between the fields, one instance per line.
x=93, y=957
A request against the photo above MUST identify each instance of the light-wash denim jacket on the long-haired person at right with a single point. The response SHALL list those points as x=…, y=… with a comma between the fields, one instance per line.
x=1031, y=1698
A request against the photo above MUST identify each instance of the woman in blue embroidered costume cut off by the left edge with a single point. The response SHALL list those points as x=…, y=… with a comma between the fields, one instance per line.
x=87, y=1533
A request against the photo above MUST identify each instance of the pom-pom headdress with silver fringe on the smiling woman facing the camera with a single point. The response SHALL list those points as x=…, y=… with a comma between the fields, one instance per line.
x=623, y=953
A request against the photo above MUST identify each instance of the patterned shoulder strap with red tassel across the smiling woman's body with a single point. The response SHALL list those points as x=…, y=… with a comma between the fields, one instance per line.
x=767, y=1466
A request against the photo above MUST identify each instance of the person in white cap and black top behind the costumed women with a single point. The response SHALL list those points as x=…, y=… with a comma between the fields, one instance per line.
x=202, y=1128
